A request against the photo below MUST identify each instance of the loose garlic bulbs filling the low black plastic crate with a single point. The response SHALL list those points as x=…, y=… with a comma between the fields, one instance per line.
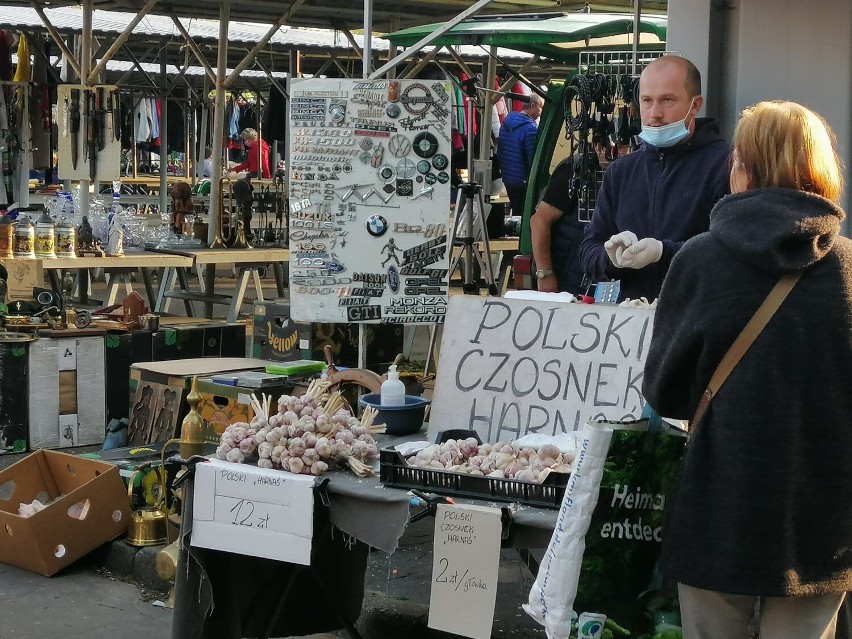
x=503, y=460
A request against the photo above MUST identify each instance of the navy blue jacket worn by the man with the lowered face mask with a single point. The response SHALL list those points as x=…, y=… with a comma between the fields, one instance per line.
x=664, y=193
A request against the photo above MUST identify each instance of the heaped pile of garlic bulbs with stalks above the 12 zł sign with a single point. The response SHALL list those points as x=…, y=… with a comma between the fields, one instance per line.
x=309, y=434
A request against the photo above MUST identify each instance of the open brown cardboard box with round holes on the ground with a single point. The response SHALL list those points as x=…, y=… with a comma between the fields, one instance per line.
x=86, y=506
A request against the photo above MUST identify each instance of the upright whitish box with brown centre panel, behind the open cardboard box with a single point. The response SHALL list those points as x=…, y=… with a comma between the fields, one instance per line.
x=67, y=396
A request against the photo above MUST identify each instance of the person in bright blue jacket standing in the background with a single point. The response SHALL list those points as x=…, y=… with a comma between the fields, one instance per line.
x=516, y=149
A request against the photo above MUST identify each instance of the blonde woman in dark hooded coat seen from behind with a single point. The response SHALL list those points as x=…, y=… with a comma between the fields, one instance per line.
x=763, y=508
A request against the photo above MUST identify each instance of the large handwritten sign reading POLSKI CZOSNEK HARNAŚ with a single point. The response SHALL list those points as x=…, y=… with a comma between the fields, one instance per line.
x=511, y=367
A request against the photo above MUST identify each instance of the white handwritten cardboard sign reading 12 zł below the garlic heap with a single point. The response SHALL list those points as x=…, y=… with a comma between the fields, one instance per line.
x=253, y=511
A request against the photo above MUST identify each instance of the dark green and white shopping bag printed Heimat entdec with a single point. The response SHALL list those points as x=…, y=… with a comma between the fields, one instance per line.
x=603, y=554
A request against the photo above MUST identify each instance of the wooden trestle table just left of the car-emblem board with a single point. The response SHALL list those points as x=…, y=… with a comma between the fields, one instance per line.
x=248, y=263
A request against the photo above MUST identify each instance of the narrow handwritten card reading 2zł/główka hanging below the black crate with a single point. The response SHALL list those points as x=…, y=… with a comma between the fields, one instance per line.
x=465, y=562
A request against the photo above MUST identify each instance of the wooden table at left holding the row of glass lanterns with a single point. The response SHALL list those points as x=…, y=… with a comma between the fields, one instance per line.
x=117, y=267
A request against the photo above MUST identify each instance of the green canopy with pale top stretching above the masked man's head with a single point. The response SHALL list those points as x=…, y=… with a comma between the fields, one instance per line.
x=554, y=35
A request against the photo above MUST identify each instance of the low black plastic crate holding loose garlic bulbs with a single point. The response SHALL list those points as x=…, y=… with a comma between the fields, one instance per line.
x=395, y=471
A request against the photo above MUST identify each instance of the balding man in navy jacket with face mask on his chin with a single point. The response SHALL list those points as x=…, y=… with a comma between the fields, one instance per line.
x=653, y=200
